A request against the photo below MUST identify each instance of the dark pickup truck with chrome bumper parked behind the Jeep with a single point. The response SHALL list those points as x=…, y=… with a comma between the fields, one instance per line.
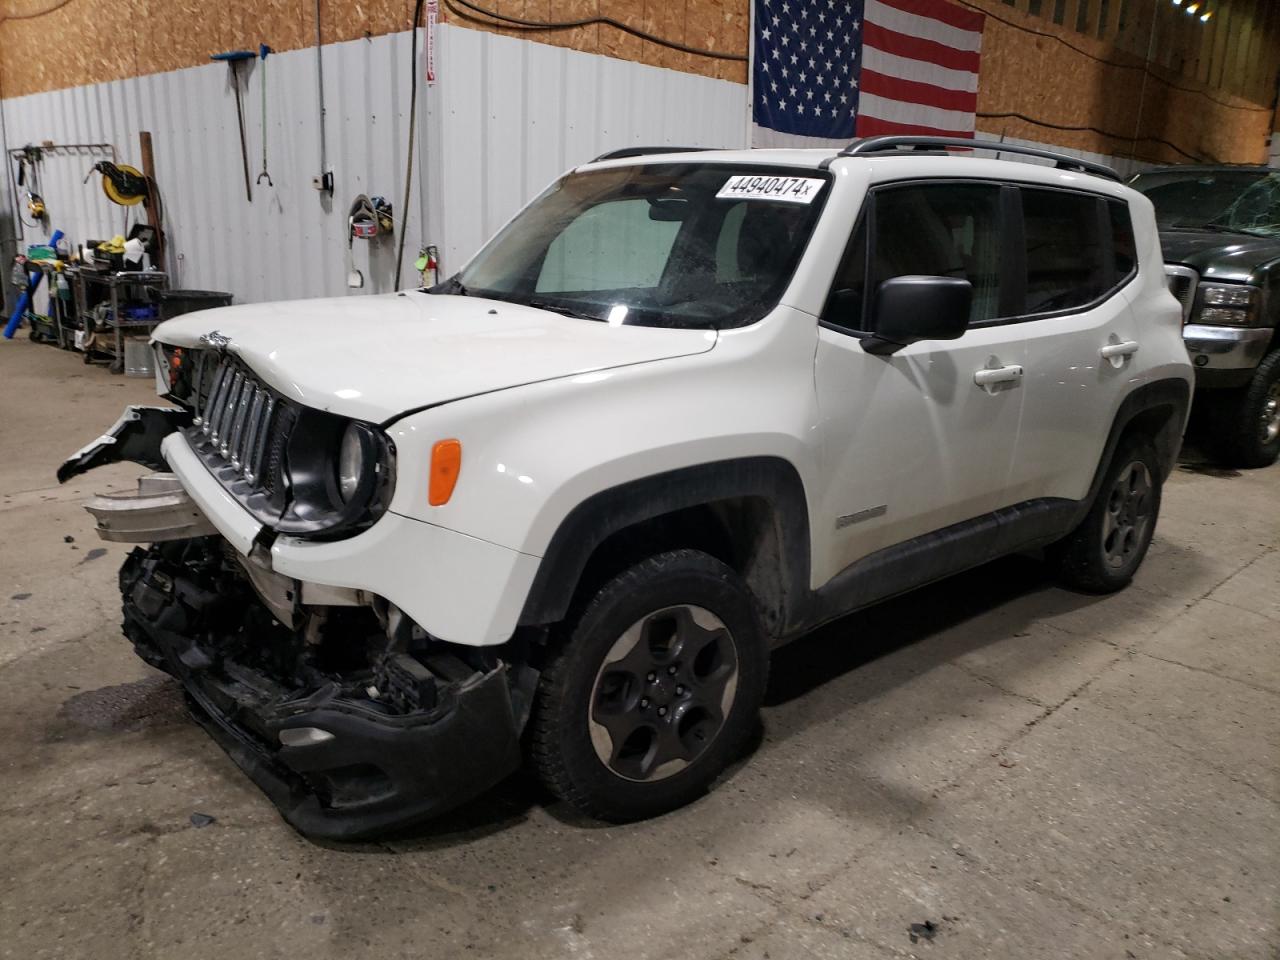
x=1220, y=230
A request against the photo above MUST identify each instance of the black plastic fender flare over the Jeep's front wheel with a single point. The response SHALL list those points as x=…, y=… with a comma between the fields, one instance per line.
x=770, y=479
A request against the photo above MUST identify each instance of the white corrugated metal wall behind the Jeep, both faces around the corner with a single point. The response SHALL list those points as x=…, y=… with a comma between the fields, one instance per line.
x=506, y=117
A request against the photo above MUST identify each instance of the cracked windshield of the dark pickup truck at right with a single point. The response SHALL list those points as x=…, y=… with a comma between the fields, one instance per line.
x=1245, y=202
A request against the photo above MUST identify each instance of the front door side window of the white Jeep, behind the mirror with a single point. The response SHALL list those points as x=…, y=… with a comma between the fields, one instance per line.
x=940, y=230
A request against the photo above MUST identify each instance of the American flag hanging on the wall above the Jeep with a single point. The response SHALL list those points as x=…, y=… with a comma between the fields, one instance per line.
x=833, y=70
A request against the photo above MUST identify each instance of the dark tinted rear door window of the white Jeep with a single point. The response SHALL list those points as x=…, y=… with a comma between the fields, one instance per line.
x=1066, y=263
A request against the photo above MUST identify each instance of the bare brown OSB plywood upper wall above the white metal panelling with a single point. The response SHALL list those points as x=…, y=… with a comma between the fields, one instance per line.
x=1039, y=81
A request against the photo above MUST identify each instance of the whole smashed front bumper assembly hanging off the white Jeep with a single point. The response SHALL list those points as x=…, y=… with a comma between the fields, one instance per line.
x=344, y=711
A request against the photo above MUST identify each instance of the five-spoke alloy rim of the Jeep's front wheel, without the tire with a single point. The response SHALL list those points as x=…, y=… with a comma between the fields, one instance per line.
x=664, y=693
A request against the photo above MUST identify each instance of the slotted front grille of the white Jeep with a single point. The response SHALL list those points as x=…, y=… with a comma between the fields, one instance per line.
x=237, y=418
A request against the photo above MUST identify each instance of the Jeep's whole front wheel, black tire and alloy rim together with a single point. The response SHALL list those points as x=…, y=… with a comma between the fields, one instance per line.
x=655, y=691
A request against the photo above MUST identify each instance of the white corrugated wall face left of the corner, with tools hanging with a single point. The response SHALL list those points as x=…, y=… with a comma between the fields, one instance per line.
x=290, y=243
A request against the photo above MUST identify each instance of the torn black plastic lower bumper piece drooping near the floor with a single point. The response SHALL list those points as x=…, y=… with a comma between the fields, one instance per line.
x=336, y=765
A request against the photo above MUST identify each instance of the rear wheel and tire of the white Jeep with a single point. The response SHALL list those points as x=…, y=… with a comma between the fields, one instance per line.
x=1105, y=551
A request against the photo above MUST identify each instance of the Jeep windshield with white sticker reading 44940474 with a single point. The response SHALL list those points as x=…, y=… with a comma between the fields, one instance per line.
x=665, y=245
